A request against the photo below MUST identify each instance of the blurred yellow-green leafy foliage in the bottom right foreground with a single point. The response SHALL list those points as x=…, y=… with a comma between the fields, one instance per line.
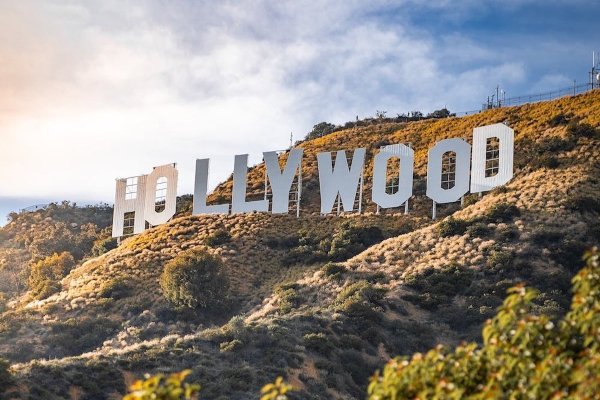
x=522, y=356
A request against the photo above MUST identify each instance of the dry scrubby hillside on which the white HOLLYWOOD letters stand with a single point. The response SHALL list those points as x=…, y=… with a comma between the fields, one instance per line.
x=322, y=300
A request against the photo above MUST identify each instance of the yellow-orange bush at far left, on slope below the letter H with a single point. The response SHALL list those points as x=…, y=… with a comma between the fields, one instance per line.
x=46, y=274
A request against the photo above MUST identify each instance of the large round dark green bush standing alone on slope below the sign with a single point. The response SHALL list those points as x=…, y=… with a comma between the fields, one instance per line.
x=195, y=279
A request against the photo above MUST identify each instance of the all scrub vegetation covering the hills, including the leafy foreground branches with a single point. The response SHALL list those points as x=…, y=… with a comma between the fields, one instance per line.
x=322, y=301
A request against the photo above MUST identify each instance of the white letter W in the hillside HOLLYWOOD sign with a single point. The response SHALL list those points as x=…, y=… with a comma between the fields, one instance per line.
x=342, y=180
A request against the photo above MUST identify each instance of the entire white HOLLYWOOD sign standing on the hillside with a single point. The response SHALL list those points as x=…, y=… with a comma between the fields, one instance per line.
x=454, y=167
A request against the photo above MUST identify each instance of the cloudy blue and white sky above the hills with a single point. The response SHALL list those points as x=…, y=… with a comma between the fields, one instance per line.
x=96, y=90
